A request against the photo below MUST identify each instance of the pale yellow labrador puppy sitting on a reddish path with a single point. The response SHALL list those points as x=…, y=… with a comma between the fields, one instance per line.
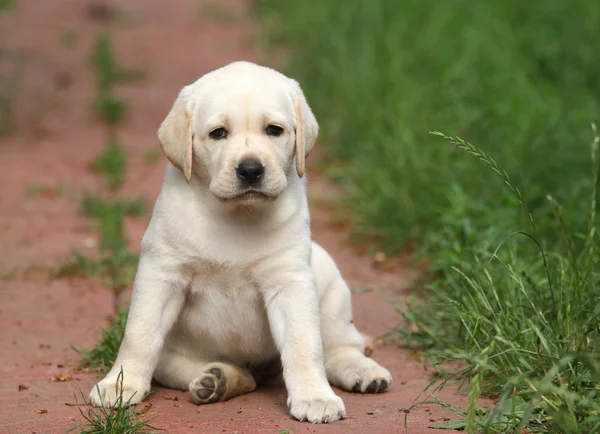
x=229, y=279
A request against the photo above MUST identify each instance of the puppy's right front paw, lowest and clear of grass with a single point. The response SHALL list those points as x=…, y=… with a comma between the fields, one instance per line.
x=323, y=408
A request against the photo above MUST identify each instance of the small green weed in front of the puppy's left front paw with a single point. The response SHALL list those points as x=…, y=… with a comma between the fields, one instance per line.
x=119, y=419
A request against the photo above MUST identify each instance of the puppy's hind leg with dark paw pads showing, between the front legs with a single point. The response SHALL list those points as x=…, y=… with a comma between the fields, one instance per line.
x=207, y=382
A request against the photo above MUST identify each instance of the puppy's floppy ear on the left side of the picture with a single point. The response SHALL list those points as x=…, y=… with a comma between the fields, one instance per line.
x=175, y=133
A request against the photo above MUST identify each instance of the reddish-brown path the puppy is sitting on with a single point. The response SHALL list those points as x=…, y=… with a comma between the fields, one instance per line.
x=42, y=319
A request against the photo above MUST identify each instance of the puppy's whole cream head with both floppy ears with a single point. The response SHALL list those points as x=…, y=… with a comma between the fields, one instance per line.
x=243, y=129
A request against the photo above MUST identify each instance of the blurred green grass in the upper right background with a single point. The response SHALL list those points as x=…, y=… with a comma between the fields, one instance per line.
x=379, y=77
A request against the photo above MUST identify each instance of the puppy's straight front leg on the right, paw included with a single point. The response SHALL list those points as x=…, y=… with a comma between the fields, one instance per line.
x=293, y=313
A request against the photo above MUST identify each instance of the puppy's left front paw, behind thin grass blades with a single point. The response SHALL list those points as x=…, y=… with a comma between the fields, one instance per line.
x=108, y=394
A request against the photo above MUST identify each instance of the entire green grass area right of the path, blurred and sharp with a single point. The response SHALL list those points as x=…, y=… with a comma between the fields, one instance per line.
x=510, y=234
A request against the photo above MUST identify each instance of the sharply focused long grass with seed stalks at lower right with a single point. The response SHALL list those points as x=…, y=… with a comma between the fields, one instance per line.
x=526, y=322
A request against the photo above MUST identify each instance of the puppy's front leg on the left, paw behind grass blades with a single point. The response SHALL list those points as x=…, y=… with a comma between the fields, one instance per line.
x=155, y=304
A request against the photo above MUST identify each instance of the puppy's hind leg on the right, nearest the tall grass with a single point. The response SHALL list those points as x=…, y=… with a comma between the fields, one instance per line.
x=346, y=364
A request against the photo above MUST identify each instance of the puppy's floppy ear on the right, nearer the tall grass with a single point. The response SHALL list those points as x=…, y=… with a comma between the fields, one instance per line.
x=307, y=128
